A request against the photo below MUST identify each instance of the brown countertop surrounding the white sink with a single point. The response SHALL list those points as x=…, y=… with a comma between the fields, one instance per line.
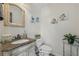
x=8, y=46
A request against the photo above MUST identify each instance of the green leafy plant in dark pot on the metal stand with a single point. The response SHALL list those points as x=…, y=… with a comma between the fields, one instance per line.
x=70, y=38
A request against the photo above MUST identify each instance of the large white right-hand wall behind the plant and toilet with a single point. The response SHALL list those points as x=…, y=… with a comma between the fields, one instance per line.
x=52, y=34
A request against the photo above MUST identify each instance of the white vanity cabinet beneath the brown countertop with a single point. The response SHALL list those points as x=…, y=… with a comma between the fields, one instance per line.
x=25, y=50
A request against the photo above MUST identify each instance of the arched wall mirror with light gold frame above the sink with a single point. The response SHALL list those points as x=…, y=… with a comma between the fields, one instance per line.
x=14, y=15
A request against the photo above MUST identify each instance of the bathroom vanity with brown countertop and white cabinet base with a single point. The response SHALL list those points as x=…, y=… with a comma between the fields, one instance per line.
x=22, y=49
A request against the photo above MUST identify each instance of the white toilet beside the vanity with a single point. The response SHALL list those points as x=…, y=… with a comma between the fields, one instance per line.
x=44, y=49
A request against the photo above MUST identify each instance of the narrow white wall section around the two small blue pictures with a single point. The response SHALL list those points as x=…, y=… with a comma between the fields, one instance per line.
x=33, y=28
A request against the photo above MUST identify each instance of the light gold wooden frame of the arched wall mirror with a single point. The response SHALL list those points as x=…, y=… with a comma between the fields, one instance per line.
x=8, y=16
